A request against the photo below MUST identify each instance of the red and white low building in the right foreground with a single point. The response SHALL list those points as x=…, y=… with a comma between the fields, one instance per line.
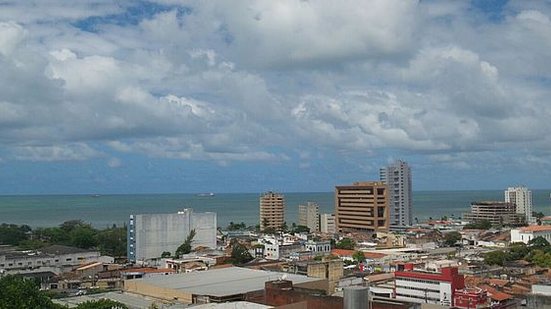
x=421, y=286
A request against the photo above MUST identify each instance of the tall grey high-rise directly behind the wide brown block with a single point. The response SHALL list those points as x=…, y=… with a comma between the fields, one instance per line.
x=397, y=176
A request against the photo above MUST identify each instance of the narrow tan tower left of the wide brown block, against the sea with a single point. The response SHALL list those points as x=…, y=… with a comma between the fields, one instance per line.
x=272, y=210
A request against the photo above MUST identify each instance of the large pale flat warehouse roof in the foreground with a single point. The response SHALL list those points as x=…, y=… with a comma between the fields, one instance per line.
x=223, y=282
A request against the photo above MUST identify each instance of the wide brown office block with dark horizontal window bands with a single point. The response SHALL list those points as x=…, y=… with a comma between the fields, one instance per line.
x=362, y=206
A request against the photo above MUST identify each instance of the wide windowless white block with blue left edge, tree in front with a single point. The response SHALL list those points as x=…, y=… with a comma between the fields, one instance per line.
x=149, y=235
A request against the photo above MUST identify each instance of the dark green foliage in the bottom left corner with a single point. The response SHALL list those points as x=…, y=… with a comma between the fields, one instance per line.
x=19, y=293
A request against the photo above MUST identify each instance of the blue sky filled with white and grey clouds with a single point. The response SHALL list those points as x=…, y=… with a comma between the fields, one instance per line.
x=294, y=95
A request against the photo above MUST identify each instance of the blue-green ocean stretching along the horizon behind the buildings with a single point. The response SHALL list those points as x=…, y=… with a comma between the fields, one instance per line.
x=105, y=210
